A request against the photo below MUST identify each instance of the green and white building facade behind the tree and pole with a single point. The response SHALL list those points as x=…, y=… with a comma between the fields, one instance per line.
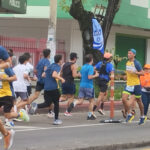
x=131, y=28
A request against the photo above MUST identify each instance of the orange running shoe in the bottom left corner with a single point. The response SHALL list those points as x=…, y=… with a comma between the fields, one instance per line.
x=8, y=140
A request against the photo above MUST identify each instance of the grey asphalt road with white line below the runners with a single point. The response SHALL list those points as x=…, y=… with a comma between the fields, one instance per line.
x=78, y=133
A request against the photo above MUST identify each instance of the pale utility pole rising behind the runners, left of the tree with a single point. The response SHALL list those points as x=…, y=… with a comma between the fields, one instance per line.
x=51, y=40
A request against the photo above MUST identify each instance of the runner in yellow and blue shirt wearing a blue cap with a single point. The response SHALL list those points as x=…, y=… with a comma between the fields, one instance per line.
x=133, y=87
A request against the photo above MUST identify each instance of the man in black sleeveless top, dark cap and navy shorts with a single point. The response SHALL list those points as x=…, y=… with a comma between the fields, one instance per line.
x=69, y=72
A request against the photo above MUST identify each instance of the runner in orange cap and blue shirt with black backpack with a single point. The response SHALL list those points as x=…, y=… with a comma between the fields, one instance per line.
x=105, y=69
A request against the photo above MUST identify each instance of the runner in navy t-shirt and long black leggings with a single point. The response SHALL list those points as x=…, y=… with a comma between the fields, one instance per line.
x=51, y=92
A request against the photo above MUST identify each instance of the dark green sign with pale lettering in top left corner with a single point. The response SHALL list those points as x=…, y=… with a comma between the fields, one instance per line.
x=13, y=6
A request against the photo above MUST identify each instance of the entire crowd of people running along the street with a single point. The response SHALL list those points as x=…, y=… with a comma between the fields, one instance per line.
x=17, y=103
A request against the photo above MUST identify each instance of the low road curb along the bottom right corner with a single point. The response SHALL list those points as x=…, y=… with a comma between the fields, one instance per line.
x=122, y=146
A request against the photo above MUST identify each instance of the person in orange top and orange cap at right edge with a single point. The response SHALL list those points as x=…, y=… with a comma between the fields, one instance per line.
x=145, y=83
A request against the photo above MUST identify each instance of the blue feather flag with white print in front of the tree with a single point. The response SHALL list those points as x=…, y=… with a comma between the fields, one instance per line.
x=98, y=40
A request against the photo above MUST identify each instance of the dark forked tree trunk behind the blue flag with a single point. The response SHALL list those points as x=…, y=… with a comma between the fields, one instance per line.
x=84, y=19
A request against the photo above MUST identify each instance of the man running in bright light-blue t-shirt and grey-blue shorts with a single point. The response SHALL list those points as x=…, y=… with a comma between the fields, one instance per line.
x=86, y=90
